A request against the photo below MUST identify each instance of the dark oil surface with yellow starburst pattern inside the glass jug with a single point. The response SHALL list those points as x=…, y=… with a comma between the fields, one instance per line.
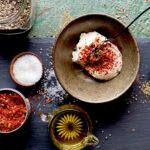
x=70, y=127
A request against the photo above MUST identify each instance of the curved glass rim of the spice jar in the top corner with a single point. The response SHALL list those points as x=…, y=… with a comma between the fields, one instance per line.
x=12, y=18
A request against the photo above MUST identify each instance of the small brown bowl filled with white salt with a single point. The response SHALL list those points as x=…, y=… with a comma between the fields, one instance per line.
x=26, y=69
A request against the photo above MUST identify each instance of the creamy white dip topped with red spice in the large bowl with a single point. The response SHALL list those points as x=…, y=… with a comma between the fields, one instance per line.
x=104, y=63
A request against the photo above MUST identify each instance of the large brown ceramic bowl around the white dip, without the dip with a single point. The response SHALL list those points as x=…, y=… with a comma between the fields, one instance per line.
x=74, y=80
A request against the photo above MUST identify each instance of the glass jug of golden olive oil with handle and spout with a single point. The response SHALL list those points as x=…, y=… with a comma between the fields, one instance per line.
x=70, y=128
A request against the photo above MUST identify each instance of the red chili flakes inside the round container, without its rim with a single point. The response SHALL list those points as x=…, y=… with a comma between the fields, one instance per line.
x=12, y=111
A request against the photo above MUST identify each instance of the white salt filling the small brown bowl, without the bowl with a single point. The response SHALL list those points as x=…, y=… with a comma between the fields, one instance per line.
x=27, y=70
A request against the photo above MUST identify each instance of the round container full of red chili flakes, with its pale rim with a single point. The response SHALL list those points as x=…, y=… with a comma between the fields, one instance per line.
x=14, y=110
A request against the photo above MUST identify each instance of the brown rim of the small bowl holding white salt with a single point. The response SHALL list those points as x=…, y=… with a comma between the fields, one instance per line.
x=12, y=63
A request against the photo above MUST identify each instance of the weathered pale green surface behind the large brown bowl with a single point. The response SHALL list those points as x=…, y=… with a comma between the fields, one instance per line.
x=52, y=15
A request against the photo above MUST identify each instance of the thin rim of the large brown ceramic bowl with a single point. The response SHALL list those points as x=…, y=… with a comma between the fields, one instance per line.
x=69, y=24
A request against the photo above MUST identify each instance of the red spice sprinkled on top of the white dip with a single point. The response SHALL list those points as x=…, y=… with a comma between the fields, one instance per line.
x=104, y=62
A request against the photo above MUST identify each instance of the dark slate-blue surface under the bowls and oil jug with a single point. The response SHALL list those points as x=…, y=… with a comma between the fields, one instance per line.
x=123, y=124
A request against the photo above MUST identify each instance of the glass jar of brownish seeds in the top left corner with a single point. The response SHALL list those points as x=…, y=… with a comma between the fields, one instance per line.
x=16, y=16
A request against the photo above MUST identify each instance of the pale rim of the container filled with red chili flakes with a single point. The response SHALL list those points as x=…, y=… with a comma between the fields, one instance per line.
x=27, y=104
